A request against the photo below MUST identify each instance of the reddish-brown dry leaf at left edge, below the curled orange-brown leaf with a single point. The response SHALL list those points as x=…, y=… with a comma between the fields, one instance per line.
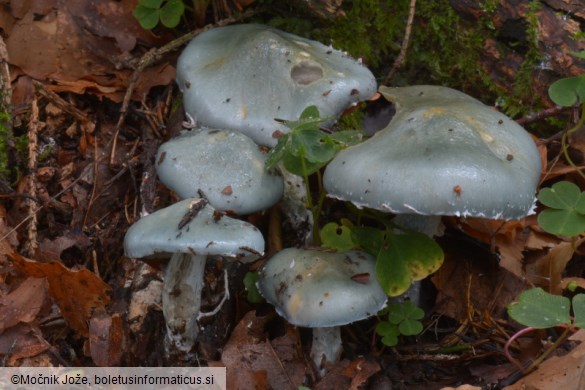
x=24, y=303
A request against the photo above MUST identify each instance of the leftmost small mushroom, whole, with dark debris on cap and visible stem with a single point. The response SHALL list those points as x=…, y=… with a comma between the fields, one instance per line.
x=188, y=232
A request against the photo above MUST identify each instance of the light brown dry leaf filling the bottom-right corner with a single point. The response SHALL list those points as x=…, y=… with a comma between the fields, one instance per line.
x=559, y=372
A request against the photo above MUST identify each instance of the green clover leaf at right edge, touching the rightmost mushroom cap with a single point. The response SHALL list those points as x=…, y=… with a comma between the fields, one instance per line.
x=566, y=216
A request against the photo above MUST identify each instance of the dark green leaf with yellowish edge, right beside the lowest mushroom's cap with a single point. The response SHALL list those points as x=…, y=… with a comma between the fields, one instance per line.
x=405, y=258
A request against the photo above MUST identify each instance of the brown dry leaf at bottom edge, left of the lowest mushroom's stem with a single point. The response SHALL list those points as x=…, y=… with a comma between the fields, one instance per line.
x=253, y=362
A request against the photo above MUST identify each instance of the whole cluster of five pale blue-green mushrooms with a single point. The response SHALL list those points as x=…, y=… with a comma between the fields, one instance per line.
x=443, y=153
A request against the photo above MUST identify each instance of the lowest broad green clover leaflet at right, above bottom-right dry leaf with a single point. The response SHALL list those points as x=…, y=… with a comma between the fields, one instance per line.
x=538, y=309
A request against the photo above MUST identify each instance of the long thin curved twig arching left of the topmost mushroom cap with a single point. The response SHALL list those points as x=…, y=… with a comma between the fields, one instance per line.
x=154, y=55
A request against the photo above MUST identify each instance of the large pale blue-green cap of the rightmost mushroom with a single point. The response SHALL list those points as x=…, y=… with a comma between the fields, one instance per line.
x=443, y=153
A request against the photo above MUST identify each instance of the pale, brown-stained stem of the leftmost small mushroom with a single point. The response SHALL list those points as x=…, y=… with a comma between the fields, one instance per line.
x=181, y=298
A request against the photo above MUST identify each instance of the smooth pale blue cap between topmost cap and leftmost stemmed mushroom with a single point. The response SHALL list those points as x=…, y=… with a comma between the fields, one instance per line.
x=227, y=166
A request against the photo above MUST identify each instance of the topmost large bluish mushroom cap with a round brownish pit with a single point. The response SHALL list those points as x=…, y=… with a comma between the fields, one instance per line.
x=242, y=77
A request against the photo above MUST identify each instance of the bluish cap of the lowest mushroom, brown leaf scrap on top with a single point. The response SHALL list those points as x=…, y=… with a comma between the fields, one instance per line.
x=316, y=289
